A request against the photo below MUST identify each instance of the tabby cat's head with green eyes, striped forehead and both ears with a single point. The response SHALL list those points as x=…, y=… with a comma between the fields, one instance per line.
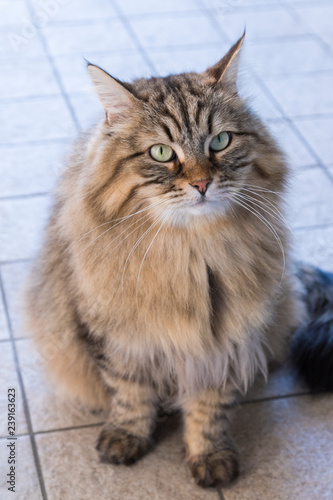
x=187, y=143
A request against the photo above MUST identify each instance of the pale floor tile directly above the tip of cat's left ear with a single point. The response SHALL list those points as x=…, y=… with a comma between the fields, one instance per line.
x=83, y=39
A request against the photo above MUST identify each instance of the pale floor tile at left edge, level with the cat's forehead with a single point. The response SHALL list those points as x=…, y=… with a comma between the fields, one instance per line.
x=35, y=120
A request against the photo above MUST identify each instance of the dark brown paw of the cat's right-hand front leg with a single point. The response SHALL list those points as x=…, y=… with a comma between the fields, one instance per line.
x=215, y=469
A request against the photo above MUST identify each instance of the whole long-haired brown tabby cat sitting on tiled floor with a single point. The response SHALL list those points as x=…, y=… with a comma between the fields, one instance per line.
x=165, y=276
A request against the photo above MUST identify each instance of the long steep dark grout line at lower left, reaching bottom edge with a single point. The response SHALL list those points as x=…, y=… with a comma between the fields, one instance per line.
x=24, y=396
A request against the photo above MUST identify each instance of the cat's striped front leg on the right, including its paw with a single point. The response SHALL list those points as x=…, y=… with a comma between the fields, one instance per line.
x=210, y=451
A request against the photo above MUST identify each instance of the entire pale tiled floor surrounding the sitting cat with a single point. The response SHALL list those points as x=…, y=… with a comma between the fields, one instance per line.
x=284, y=434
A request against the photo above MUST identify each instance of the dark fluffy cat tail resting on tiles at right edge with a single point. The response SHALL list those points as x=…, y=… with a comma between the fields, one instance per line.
x=312, y=345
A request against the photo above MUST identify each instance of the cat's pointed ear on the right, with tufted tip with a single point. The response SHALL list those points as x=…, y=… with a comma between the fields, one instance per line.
x=226, y=69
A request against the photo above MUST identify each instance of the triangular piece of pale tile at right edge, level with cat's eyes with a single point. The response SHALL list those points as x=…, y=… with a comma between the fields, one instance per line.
x=318, y=132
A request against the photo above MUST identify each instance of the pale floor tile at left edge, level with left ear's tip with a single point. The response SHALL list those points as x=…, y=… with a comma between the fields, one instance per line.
x=27, y=79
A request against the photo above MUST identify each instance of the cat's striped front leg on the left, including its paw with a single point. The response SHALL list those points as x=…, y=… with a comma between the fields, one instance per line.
x=126, y=436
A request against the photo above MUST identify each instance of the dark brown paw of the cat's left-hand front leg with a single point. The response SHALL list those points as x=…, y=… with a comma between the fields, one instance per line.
x=117, y=446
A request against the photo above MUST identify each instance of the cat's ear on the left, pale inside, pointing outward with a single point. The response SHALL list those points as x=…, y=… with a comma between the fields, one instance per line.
x=117, y=100
